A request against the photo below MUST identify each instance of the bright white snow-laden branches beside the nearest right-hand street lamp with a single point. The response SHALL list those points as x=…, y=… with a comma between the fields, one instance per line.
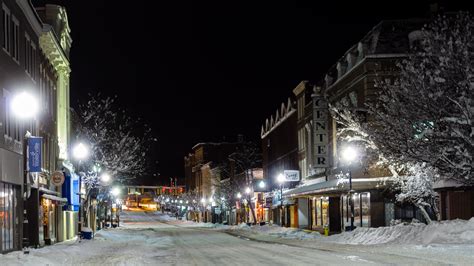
x=412, y=182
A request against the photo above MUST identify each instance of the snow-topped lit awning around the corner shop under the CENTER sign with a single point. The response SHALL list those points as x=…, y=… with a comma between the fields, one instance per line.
x=338, y=186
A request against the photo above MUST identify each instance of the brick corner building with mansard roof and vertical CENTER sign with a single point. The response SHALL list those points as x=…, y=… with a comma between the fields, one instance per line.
x=322, y=195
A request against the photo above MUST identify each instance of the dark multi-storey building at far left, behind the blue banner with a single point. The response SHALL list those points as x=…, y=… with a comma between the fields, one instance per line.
x=26, y=67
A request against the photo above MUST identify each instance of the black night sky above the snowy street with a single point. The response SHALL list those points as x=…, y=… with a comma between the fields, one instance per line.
x=200, y=71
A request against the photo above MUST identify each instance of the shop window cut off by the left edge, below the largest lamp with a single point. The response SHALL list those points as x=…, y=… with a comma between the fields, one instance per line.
x=10, y=207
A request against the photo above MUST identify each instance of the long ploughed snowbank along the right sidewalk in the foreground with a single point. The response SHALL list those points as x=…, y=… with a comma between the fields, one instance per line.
x=444, y=232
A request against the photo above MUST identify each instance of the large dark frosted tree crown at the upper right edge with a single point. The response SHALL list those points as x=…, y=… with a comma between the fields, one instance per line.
x=425, y=114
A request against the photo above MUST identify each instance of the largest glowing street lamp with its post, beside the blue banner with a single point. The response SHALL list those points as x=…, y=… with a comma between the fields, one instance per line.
x=24, y=106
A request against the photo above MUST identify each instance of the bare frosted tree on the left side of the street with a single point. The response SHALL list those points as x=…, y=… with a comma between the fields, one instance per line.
x=117, y=141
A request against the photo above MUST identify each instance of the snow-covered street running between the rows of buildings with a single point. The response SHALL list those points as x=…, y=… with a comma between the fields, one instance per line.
x=155, y=239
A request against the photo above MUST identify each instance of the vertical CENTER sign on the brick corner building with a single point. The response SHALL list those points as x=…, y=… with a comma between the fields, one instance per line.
x=320, y=129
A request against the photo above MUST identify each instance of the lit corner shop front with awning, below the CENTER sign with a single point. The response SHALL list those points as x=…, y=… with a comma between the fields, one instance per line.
x=329, y=204
